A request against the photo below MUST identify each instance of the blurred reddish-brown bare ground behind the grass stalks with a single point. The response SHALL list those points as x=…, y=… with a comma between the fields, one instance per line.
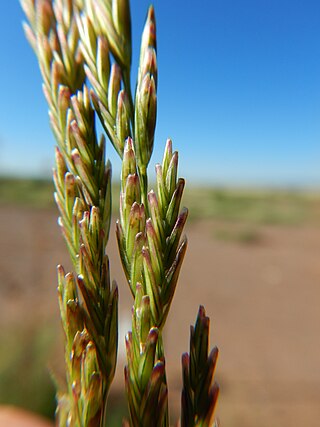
x=263, y=300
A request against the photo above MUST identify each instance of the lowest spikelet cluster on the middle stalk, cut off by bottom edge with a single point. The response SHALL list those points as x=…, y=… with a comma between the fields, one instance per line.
x=144, y=374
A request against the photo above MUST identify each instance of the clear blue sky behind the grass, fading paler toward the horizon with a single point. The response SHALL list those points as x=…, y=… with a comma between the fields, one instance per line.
x=239, y=91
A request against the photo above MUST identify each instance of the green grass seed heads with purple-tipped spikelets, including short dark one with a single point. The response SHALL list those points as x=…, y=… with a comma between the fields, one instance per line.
x=84, y=43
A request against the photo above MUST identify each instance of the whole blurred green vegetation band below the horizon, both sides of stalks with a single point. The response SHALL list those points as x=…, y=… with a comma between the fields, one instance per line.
x=254, y=206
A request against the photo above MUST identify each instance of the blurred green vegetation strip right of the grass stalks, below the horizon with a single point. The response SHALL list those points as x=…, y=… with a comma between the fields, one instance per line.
x=254, y=206
